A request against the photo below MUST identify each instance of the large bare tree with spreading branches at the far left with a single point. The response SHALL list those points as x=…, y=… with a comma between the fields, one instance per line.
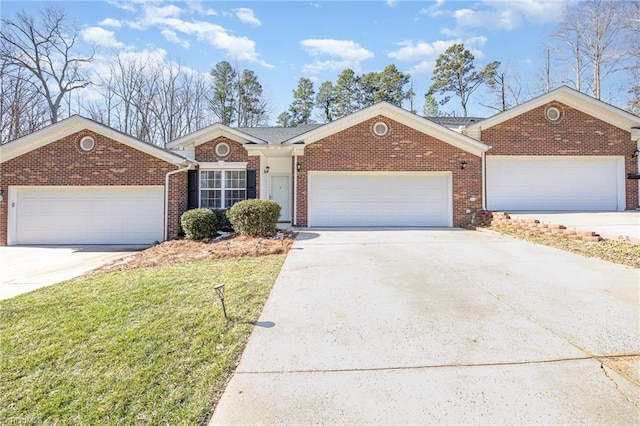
x=46, y=49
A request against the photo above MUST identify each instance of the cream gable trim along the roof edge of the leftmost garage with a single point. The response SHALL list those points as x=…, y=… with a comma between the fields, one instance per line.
x=74, y=124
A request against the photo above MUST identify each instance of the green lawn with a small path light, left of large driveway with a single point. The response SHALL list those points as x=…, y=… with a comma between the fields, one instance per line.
x=148, y=346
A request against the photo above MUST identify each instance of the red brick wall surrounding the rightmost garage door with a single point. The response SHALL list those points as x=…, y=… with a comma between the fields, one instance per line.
x=576, y=133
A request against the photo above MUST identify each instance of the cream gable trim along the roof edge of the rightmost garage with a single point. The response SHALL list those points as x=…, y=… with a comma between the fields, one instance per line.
x=569, y=97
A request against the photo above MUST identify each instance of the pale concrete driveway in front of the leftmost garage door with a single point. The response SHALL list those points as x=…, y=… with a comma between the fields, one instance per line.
x=26, y=268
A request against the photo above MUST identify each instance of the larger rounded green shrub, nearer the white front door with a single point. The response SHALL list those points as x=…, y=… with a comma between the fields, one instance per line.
x=255, y=218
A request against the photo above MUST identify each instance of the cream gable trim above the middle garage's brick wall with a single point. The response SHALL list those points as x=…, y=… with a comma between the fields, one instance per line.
x=399, y=115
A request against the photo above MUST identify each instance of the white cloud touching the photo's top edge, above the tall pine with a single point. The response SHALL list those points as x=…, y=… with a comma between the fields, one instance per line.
x=509, y=14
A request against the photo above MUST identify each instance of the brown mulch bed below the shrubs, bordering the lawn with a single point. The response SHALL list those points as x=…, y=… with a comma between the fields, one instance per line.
x=184, y=251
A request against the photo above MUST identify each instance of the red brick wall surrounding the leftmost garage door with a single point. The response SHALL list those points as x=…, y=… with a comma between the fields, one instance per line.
x=110, y=163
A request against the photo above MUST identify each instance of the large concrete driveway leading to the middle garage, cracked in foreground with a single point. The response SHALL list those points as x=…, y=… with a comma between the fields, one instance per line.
x=440, y=327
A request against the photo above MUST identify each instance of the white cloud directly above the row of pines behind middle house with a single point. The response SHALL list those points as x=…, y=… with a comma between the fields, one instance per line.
x=342, y=54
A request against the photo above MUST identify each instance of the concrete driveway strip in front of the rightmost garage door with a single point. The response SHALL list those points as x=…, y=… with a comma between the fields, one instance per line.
x=610, y=225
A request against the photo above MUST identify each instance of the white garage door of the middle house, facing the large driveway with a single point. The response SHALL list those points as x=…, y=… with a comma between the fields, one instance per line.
x=379, y=199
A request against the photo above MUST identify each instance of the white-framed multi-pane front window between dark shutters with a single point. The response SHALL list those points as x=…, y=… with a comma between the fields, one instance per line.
x=220, y=189
